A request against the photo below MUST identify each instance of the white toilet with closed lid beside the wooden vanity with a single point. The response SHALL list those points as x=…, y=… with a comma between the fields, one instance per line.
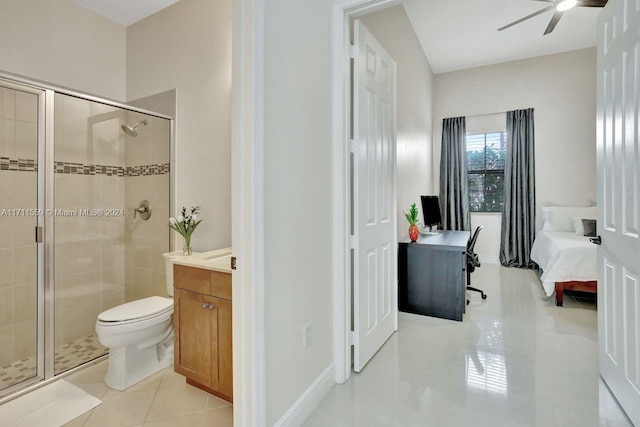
x=139, y=335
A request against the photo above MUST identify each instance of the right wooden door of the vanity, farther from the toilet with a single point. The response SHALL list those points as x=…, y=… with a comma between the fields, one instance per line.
x=222, y=365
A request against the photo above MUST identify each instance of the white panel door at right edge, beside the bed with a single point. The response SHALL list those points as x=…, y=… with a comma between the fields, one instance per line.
x=618, y=154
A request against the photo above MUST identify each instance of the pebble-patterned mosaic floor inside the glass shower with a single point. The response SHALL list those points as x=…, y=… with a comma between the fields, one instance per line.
x=68, y=355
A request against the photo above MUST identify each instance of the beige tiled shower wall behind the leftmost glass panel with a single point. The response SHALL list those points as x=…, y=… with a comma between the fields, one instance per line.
x=18, y=257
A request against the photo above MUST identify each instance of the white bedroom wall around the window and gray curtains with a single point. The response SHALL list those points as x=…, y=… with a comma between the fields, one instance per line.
x=562, y=90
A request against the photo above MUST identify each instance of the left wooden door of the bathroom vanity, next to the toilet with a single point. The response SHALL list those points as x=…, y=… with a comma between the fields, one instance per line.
x=195, y=336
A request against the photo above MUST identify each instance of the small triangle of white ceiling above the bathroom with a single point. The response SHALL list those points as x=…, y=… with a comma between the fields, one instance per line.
x=125, y=12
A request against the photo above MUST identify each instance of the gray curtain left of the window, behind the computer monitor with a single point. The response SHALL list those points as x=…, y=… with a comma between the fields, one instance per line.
x=454, y=195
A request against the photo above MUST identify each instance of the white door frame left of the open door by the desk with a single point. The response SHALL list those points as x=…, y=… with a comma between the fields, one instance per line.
x=343, y=12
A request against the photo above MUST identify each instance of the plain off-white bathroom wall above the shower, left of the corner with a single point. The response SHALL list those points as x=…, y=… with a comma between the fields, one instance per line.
x=59, y=42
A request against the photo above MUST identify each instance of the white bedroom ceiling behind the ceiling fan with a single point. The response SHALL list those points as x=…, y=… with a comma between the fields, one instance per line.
x=459, y=34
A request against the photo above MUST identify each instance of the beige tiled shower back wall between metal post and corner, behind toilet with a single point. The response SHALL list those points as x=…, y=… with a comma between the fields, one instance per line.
x=89, y=256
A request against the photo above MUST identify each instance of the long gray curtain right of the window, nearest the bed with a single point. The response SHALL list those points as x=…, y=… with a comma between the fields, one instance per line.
x=518, y=212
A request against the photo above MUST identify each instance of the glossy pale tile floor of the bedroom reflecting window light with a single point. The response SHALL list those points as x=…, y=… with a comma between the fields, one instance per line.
x=515, y=360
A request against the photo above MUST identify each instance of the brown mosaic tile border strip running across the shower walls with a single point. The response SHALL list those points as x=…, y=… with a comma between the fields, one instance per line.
x=28, y=165
